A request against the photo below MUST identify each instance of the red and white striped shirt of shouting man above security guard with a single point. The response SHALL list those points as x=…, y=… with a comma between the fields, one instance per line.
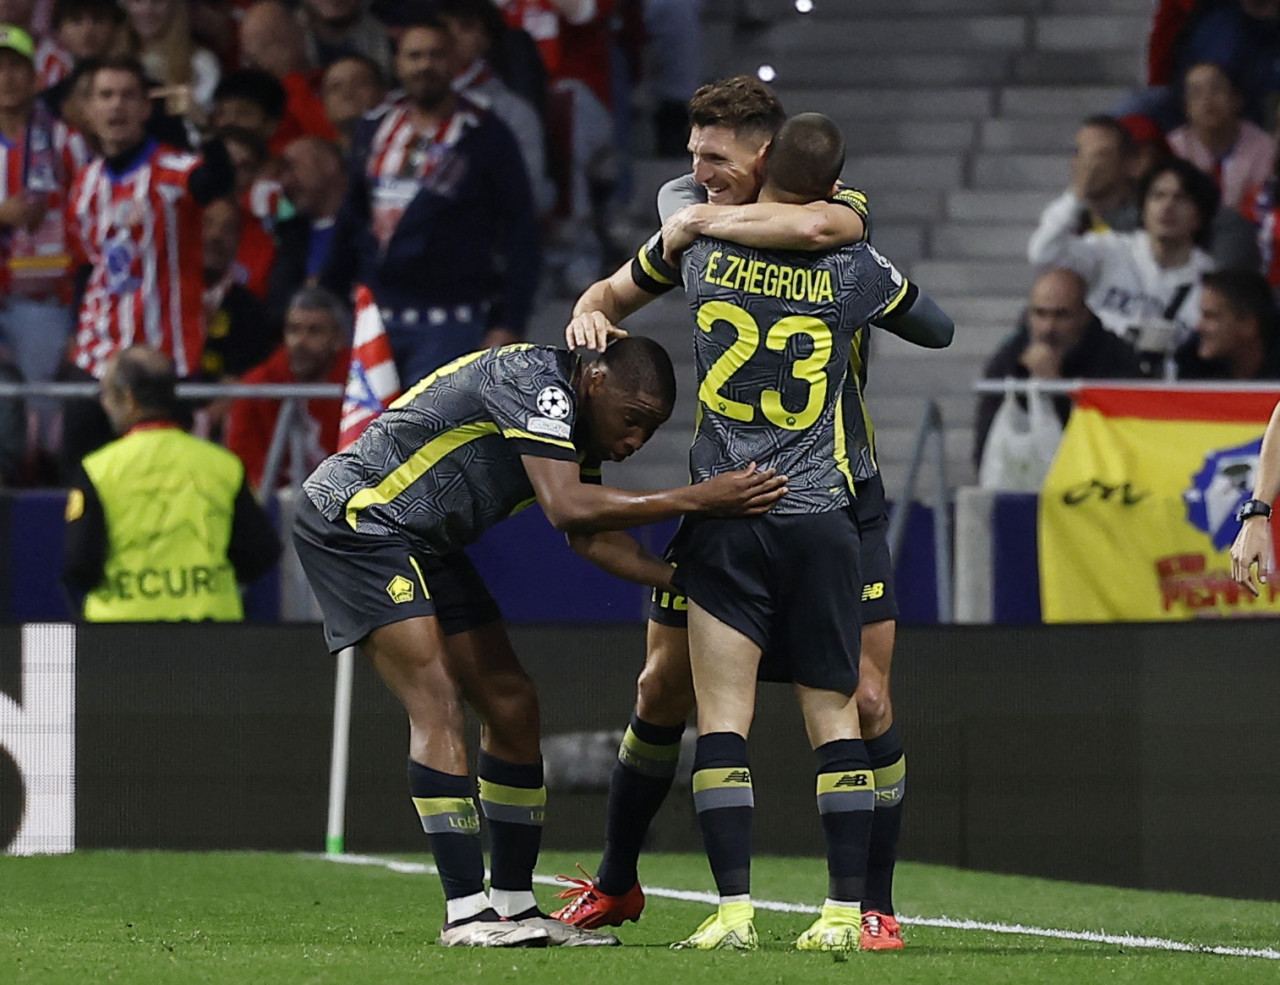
x=141, y=232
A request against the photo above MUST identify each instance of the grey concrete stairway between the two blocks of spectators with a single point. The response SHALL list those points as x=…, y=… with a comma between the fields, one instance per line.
x=959, y=129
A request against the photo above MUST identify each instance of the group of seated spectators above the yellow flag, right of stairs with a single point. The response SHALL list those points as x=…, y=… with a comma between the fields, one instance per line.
x=1169, y=222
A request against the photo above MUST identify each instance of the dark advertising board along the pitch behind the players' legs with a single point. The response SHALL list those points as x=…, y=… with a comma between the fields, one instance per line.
x=1128, y=755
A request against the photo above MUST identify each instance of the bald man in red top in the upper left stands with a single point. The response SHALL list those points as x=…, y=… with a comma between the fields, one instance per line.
x=272, y=42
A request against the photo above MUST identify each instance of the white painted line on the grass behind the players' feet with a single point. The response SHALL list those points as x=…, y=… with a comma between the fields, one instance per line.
x=689, y=896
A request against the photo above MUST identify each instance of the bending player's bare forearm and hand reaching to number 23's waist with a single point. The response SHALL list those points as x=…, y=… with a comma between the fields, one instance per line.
x=577, y=507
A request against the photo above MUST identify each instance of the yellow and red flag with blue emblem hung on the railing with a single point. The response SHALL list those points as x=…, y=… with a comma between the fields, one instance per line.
x=1137, y=515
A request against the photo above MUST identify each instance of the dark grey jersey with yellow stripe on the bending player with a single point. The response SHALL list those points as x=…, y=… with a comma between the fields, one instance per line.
x=442, y=465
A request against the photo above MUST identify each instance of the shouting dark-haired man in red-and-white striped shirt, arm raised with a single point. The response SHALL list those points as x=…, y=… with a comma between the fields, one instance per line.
x=138, y=232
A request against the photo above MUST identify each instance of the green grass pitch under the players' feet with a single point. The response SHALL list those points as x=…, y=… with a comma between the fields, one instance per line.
x=152, y=919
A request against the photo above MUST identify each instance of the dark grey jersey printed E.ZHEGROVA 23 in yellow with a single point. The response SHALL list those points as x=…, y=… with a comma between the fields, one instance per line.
x=774, y=343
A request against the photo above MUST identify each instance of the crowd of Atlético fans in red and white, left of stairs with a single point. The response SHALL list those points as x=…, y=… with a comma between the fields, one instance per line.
x=176, y=173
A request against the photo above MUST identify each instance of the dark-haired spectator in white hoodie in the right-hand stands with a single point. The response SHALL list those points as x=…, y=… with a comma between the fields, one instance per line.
x=1144, y=286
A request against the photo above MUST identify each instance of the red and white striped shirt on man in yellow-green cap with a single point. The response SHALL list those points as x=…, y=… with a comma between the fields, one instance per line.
x=44, y=164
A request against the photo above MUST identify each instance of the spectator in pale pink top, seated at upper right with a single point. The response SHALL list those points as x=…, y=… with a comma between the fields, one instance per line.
x=1237, y=154
